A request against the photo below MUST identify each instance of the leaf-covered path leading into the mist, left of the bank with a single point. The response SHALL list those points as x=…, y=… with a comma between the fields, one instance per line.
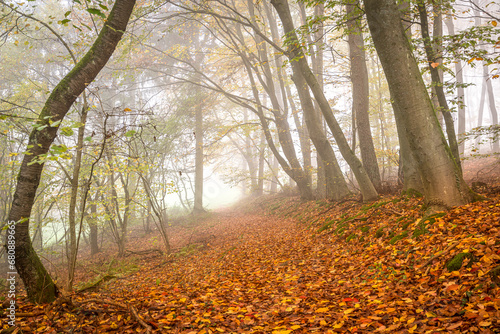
x=261, y=274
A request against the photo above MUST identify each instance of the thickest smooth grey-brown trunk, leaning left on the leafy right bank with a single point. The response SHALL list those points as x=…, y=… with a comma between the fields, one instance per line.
x=442, y=179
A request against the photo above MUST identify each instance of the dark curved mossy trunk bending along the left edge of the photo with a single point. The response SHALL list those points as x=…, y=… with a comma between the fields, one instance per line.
x=37, y=281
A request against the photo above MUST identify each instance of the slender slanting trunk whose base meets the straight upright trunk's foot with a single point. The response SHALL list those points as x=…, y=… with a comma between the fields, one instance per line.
x=299, y=64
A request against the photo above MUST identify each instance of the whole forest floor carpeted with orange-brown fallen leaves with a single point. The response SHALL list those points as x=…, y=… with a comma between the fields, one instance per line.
x=280, y=265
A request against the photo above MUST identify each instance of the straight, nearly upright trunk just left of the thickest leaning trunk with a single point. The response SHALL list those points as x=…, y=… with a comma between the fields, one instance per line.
x=360, y=94
